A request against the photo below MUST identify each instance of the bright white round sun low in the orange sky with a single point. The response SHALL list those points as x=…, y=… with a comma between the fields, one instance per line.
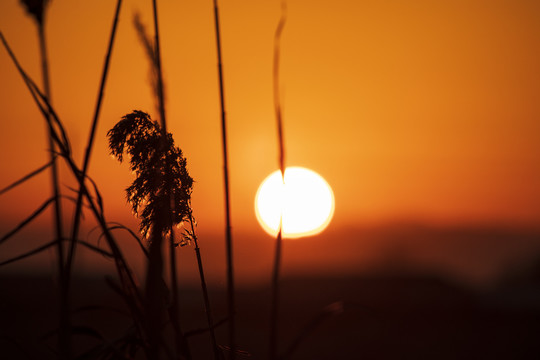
x=302, y=199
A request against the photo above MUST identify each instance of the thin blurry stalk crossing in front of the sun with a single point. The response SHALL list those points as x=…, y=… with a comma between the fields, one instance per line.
x=274, y=312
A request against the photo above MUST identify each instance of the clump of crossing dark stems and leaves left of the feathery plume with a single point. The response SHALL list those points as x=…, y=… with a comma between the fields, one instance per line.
x=60, y=146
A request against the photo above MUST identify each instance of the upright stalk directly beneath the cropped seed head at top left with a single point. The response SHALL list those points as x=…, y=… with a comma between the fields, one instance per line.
x=64, y=338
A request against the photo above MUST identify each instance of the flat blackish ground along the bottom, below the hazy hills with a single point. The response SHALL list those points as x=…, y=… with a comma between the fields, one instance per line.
x=384, y=317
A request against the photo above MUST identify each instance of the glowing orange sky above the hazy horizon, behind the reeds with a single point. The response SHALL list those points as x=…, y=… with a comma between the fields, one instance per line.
x=418, y=110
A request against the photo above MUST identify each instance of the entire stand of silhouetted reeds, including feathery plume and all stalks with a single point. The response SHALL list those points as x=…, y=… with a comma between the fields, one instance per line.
x=160, y=196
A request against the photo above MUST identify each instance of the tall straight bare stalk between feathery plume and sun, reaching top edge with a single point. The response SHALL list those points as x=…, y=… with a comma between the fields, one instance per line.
x=229, y=242
